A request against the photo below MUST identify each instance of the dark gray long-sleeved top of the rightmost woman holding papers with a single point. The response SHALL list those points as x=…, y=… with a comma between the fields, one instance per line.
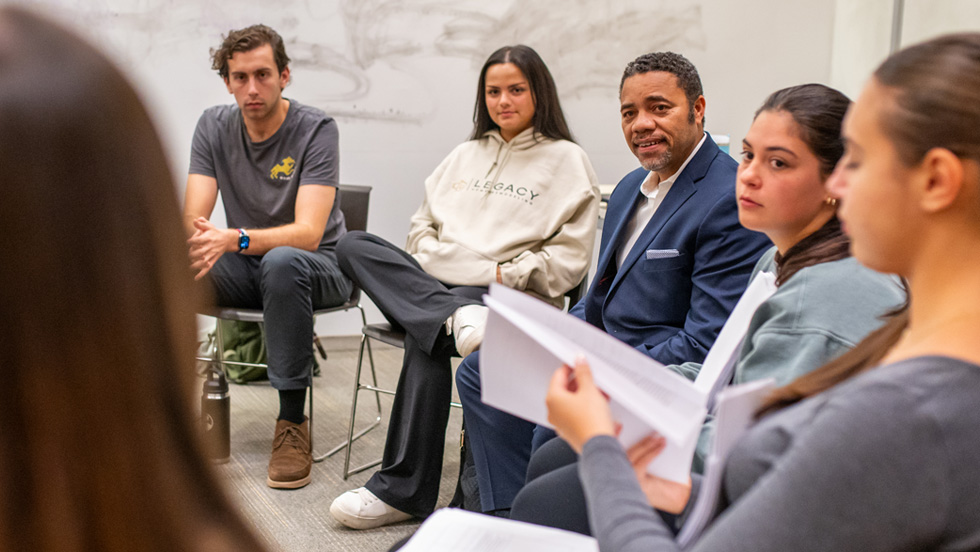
x=887, y=461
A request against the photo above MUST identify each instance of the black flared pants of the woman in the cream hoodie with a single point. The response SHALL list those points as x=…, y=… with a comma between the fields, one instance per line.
x=419, y=304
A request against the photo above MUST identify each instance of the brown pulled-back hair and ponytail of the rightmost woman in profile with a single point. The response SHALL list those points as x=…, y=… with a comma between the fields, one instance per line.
x=936, y=90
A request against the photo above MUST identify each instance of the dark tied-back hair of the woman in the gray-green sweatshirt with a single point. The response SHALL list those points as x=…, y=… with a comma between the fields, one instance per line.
x=818, y=111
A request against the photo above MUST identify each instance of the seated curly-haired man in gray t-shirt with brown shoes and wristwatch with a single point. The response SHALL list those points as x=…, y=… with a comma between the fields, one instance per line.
x=275, y=162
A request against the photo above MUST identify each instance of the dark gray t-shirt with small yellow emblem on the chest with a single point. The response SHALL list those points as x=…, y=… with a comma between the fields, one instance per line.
x=259, y=180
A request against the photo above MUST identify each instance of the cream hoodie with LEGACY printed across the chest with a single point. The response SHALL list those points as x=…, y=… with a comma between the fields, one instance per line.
x=529, y=205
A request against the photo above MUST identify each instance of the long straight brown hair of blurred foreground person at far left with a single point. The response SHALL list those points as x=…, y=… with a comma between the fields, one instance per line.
x=97, y=334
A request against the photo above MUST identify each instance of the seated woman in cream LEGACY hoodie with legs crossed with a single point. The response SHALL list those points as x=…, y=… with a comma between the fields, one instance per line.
x=516, y=204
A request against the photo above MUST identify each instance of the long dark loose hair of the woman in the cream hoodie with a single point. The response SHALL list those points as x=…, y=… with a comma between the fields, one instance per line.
x=549, y=119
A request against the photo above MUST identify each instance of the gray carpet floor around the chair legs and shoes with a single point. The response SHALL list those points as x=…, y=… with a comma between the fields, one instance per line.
x=299, y=520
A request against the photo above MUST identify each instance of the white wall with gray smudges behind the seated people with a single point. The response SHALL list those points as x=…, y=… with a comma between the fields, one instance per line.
x=400, y=75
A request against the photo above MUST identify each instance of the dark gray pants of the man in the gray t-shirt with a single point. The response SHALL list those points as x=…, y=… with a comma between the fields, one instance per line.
x=288, y=284
